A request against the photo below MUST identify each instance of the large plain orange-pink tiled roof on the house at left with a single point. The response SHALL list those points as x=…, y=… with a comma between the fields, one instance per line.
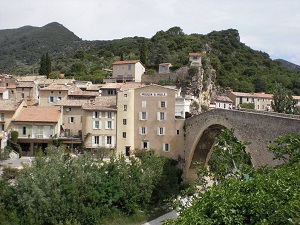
x=39, y=114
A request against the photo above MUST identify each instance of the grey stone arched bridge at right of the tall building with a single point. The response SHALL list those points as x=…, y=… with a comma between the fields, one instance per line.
x=258, y=128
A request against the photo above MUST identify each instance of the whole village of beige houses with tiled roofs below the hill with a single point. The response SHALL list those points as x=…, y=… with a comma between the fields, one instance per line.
x=122, y=115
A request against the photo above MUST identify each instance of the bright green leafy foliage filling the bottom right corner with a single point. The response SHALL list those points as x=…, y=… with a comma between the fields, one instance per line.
x=271, y=198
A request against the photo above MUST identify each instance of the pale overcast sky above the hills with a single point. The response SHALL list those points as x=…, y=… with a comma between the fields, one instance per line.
x=272, y=26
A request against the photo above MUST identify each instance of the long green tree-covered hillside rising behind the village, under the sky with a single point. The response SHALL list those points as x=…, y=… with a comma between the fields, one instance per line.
x=237, y=65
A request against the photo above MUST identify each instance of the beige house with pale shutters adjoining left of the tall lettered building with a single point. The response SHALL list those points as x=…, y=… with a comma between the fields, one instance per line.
x=99, y=123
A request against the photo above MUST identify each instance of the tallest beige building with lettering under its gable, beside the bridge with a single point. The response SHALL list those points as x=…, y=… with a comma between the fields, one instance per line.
x=146, y=120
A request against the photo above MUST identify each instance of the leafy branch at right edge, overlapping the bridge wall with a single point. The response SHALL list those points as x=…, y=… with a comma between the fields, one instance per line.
x=286, y=148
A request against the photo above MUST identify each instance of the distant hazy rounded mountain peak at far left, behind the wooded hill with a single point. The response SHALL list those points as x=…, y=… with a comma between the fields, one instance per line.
x=24, y=46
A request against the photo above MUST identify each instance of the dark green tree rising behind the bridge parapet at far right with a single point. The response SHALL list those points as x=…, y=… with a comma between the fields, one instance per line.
x=283, y=101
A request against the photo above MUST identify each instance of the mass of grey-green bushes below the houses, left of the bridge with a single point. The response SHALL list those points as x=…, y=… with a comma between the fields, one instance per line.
x=59, y=189
